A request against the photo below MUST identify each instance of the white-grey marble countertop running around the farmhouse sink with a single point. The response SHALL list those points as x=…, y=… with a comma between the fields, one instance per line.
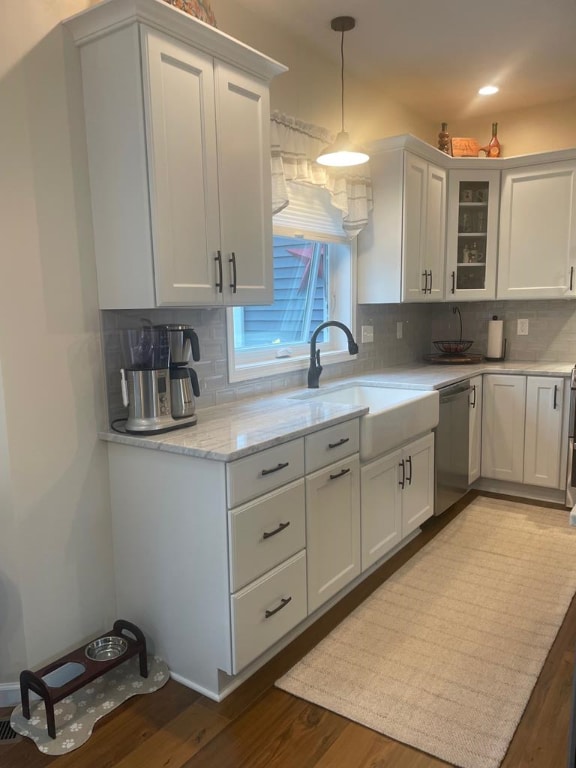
x=229, y=432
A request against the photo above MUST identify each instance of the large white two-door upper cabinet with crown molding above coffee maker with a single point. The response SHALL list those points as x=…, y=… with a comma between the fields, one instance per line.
x=177, y=121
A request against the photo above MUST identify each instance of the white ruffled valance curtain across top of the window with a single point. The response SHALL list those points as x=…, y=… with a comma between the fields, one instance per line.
x=295, y=146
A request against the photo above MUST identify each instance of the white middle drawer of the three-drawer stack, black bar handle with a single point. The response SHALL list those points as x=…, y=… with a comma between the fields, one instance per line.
x=265, y=532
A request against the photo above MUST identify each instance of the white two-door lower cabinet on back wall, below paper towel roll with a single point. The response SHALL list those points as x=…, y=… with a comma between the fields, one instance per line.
x=522, y=429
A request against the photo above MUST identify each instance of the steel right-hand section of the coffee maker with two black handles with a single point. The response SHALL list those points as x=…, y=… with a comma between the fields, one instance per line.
x=183, y=344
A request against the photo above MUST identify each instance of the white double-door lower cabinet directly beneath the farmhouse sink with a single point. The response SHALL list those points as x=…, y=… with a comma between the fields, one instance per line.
x=397, y=496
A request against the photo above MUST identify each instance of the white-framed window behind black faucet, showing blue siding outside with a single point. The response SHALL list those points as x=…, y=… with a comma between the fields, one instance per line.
x=313, y=282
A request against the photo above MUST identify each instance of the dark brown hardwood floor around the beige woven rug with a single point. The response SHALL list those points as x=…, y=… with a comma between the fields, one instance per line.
x=259, y=725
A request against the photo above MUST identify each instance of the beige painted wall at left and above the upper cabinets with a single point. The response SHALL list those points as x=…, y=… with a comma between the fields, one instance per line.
x=56, y=580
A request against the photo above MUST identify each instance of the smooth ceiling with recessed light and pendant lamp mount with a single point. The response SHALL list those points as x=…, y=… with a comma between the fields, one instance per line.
x=433, y=55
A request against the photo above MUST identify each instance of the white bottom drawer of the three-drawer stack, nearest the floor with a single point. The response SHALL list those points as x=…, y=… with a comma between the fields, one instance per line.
x=267, y=609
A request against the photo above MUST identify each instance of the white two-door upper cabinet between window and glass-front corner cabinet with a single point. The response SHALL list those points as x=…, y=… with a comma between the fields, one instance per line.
x=401, y=253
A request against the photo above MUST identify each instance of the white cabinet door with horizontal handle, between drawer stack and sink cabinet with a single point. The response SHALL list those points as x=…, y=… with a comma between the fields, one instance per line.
x=332, y=529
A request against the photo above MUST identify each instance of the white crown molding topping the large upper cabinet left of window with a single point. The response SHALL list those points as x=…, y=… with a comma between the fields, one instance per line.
x=108, y=15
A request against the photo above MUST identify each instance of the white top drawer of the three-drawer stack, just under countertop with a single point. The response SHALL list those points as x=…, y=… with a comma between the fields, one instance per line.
x=264, y=471
